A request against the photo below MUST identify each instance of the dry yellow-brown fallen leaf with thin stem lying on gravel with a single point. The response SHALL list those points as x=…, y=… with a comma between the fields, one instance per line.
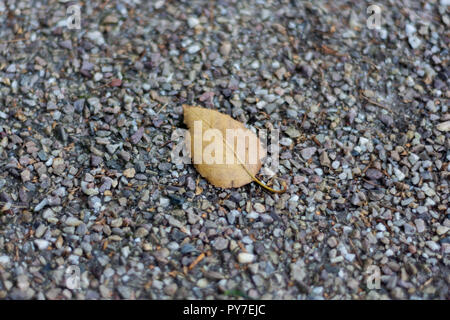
x=223, y=150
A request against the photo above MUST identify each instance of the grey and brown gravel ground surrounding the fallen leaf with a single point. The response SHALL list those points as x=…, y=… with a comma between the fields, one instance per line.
x=86, y=177
